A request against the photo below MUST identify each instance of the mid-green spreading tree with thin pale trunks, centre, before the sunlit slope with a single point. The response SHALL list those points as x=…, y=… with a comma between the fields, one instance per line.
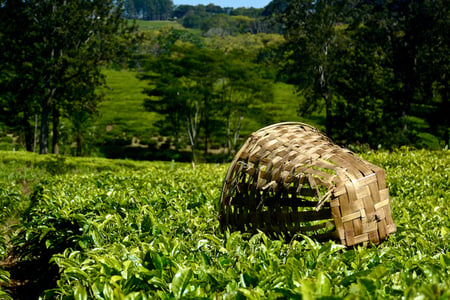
x=203, y=94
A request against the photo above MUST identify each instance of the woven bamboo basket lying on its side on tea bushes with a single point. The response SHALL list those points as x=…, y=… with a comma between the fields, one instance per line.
x=289, y=178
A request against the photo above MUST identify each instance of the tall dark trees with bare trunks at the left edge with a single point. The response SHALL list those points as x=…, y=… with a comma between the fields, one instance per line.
x=55, y=53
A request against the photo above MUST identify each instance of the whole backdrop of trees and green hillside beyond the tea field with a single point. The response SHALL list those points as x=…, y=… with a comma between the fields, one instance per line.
x=371, y=74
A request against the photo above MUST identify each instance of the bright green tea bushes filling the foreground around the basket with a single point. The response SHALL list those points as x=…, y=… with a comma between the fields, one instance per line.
x=110, y=229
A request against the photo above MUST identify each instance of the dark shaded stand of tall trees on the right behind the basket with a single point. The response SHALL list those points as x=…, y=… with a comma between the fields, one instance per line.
x=369, y=66
